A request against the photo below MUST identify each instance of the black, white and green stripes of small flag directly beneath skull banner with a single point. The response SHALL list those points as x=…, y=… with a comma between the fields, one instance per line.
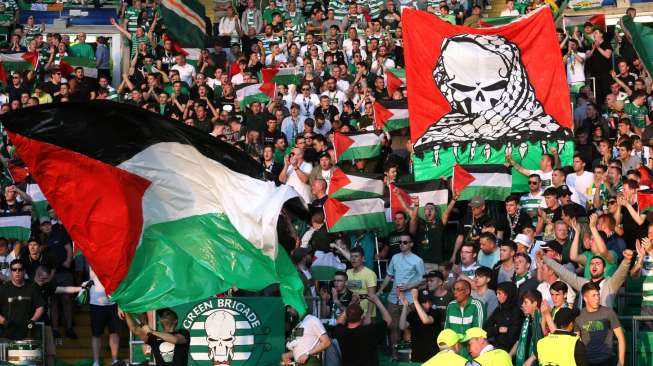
x=492, y=182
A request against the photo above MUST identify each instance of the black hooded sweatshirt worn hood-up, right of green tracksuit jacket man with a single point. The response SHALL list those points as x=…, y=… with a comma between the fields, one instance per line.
x=507, y=315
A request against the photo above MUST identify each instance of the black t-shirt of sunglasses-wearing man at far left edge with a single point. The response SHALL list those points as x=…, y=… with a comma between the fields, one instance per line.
x=17, y=306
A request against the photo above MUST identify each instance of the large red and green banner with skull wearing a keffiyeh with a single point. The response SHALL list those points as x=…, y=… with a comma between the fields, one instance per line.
x=479, y=94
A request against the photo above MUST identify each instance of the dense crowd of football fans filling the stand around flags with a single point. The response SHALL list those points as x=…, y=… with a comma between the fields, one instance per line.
x=532, y=279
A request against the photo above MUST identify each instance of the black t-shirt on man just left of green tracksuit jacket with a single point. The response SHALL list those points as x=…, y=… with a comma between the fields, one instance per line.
x=422, y=335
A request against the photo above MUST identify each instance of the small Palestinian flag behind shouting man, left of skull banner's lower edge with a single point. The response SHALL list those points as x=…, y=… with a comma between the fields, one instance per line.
x=433, y=191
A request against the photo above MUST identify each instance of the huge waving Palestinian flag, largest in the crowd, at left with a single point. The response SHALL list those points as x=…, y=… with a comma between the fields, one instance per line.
x=164, y=214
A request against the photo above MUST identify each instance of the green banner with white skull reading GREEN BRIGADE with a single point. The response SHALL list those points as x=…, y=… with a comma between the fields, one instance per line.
x=235, y=331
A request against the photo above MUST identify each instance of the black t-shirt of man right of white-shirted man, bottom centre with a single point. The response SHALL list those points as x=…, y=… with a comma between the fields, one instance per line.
x=358, y=345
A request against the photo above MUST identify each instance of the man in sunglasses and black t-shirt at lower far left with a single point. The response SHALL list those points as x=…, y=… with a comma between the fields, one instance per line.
x=20, y=304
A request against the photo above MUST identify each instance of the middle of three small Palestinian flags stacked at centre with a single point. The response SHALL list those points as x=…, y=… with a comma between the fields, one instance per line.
x=351, y=186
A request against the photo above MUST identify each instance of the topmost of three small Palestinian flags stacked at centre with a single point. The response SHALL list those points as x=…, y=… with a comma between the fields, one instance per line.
x=356, y=145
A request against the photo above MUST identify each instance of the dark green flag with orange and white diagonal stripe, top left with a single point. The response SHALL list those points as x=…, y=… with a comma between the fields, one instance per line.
x=185, y=21
